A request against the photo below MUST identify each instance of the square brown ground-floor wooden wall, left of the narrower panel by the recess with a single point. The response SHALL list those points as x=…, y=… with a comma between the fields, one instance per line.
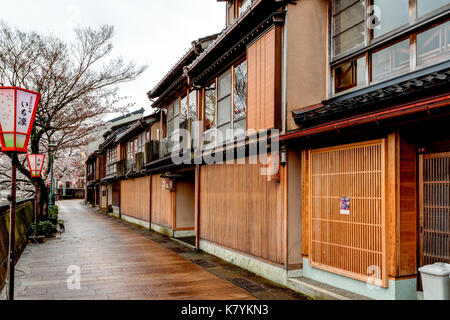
x=135, y=198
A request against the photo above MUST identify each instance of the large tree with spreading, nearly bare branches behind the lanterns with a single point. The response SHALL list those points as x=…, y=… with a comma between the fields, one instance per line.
x=78, y=86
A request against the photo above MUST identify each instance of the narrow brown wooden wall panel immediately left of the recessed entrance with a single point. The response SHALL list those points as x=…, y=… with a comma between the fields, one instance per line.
x=162, y=213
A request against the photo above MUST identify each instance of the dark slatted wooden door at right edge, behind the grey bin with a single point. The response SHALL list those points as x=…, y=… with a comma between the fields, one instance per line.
x=434, y=203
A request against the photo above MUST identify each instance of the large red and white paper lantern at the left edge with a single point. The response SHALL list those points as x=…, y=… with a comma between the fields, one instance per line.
x=17, y=111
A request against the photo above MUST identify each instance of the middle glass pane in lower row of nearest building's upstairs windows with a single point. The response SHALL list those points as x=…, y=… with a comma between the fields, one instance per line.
x=391, y=61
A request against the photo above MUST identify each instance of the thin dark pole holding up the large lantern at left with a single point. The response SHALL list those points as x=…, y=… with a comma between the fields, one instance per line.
x=12, y=231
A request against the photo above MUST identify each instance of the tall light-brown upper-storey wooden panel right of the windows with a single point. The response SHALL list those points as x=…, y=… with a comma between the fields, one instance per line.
x=264, y=80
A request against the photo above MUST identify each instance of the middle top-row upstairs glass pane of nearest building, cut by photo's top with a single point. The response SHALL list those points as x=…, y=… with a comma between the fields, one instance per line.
x=391, y=15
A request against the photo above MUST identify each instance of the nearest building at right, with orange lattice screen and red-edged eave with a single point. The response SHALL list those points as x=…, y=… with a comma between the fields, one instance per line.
x=375, y=162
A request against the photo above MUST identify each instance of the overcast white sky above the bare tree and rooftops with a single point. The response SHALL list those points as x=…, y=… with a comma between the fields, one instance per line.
x=151, y=32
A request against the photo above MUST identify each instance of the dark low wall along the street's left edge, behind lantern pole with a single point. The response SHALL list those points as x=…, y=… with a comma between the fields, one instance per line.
x=24, y=219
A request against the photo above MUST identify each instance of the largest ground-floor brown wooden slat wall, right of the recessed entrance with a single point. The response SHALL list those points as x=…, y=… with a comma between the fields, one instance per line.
x=241, y=210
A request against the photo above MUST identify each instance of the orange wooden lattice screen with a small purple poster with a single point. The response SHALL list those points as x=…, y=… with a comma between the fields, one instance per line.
x=347, y=211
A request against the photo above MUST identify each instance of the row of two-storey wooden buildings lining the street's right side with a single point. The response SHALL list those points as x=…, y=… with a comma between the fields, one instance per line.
x=351, y=98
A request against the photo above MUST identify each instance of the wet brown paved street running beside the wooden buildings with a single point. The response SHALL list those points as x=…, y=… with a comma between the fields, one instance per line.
x=119, y=261
